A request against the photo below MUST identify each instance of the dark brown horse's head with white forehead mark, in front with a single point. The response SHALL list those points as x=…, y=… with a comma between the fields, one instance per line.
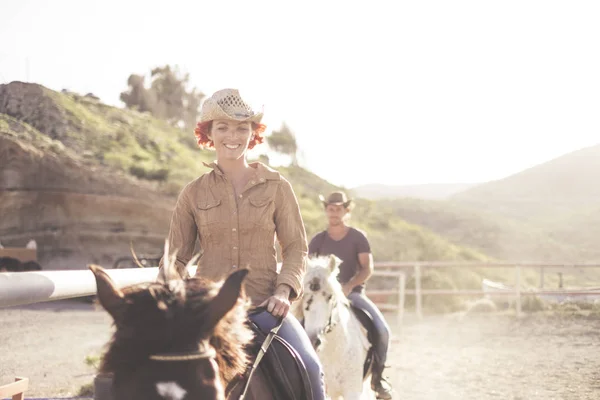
x=175, y=337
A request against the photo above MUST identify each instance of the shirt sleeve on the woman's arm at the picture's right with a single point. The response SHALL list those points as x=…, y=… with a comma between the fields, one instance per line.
x=291, y=235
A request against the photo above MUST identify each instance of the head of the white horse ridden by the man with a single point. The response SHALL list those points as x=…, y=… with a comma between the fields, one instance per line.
x=322, y=295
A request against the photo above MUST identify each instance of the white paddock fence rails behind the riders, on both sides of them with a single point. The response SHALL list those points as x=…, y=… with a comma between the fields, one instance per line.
x=20, y=288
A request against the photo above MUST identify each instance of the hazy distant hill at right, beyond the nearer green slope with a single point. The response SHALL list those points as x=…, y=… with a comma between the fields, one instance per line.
x=550, y=212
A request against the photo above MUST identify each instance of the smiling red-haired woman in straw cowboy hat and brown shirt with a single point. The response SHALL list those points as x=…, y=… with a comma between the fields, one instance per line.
x=236, y=211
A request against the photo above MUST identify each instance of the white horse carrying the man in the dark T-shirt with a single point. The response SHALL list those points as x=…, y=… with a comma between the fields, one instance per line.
x=334, y=330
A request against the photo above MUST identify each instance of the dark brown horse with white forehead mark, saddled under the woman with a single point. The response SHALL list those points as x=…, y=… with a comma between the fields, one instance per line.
x=181, y=339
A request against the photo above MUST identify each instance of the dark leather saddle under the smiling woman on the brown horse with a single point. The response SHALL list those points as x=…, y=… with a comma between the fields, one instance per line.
x=281, y=369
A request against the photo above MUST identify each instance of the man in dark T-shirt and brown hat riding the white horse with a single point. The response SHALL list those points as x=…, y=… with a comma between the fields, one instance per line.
x=352, y=247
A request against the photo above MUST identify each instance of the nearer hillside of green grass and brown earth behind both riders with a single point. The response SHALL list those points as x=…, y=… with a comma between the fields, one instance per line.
x=84, y=178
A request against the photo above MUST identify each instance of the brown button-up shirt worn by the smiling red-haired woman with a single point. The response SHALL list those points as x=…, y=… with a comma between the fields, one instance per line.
x=239, y=233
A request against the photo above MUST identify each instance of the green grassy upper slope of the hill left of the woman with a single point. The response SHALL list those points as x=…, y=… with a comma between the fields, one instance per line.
x=126, y=141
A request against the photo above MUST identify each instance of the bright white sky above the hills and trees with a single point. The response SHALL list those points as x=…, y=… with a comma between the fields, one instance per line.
x=394, y=92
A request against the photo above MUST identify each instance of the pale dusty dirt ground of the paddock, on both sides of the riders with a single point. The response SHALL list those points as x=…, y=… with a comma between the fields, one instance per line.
x=439, y=357
